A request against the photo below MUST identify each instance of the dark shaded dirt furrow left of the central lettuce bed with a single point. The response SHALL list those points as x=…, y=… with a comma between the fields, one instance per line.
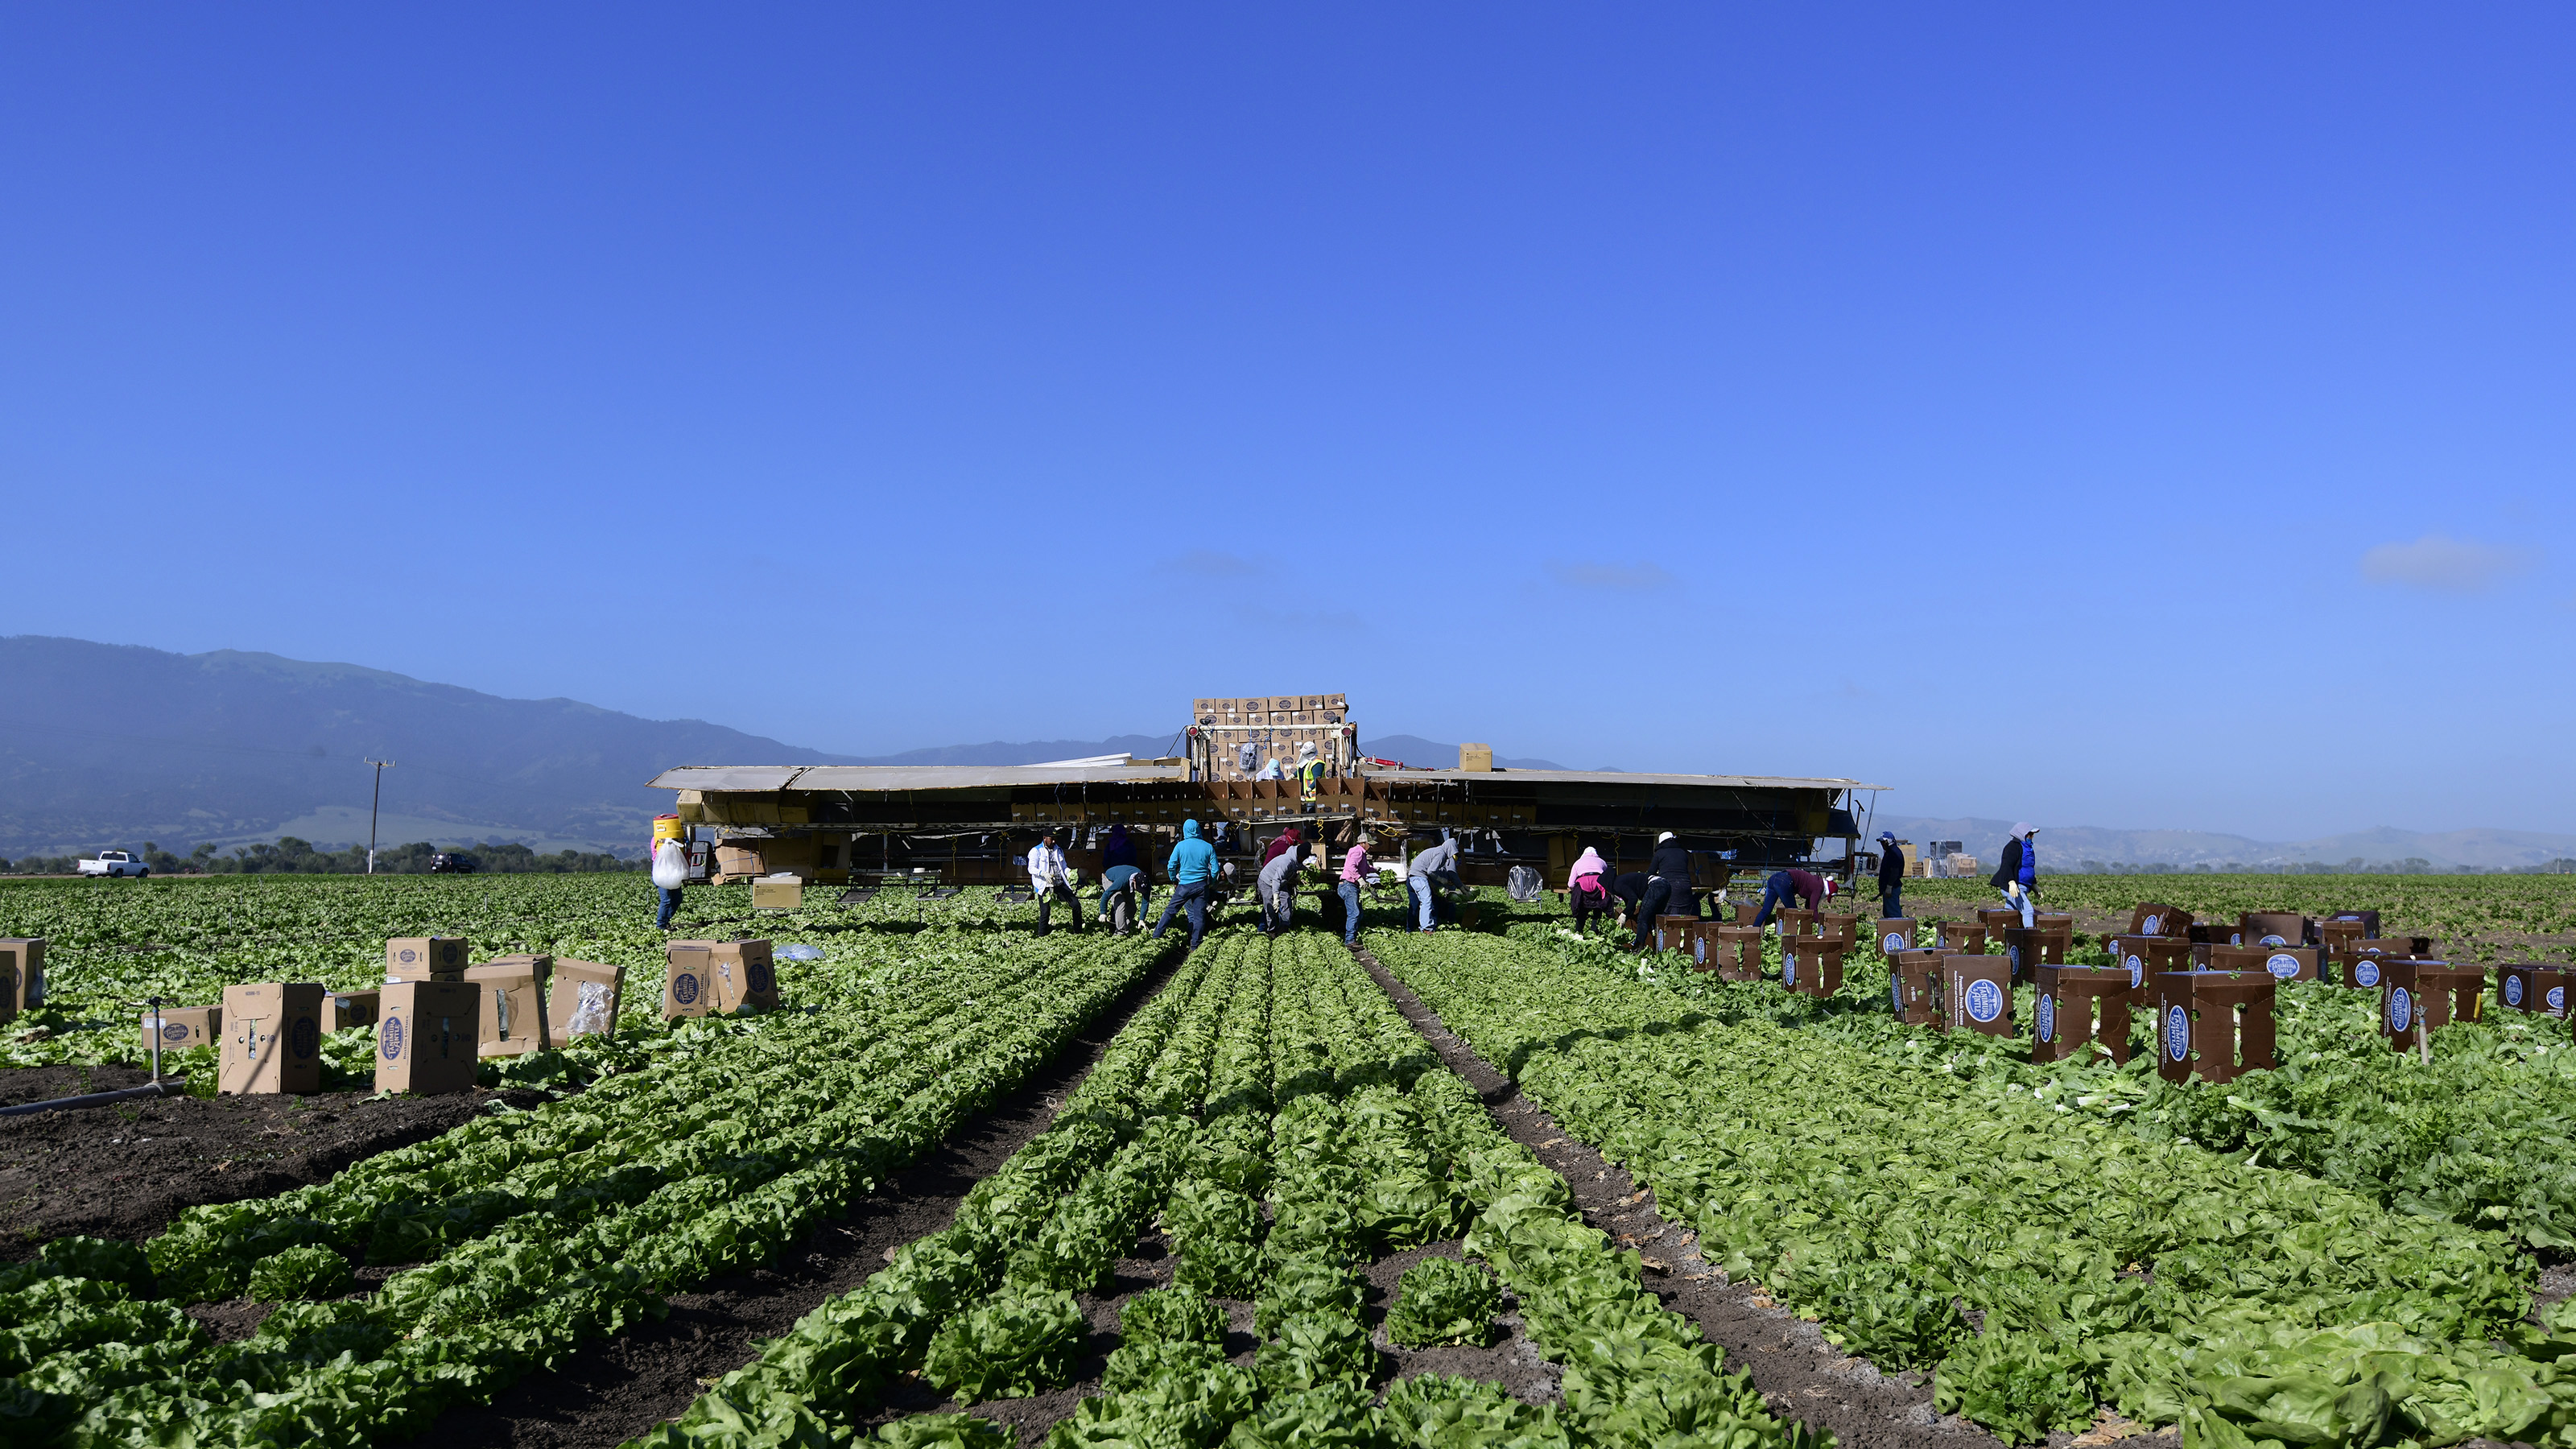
x=620, y=1388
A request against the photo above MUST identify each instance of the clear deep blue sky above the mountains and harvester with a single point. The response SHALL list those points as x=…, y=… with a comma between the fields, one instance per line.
x=2085, y=414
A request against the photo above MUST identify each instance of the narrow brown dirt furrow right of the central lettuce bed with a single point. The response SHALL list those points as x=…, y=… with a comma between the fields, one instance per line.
x=1797, y=1370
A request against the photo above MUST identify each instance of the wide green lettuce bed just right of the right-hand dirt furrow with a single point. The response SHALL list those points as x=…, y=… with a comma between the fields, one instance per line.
x=2047, y=1262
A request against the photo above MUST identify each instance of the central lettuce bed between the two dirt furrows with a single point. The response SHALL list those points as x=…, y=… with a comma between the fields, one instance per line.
x=1284, y=1125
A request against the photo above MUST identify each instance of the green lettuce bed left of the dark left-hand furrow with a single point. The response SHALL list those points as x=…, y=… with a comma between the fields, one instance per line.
x=527, y=1234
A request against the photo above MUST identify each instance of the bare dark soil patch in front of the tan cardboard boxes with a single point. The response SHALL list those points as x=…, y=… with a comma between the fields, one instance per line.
x=128, y=1169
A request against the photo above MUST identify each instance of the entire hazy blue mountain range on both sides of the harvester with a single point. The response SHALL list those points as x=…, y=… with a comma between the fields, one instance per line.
x=117, y=746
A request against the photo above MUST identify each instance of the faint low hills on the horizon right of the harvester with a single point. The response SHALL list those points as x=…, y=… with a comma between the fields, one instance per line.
x=2067, y=847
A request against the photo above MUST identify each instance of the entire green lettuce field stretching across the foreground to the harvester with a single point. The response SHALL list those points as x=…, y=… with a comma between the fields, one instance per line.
x=1256, y=1195
